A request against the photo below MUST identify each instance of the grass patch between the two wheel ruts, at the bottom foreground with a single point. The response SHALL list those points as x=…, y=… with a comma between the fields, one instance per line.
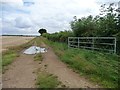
x=45, y=80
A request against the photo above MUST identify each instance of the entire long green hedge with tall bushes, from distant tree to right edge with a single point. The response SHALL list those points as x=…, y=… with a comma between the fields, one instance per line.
x=106, y=24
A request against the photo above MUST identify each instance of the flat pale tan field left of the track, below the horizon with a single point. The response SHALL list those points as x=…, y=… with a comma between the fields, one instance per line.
x=8, y=41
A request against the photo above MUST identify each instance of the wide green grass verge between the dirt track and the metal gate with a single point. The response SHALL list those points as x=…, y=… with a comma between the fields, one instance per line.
x=96, y=66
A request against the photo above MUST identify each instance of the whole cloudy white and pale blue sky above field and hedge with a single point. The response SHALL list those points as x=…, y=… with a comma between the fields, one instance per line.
x=26, y=17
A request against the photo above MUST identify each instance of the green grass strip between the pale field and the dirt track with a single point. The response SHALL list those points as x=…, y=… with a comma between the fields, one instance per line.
x=9, y=55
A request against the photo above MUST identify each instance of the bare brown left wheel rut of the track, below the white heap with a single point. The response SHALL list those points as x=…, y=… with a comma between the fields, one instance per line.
x=21, y=73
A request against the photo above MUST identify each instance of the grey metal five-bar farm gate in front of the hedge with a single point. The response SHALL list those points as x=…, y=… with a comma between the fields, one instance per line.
x=106, y=44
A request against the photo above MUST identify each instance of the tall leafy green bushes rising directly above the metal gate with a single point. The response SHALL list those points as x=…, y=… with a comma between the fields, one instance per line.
x=107, y=23
